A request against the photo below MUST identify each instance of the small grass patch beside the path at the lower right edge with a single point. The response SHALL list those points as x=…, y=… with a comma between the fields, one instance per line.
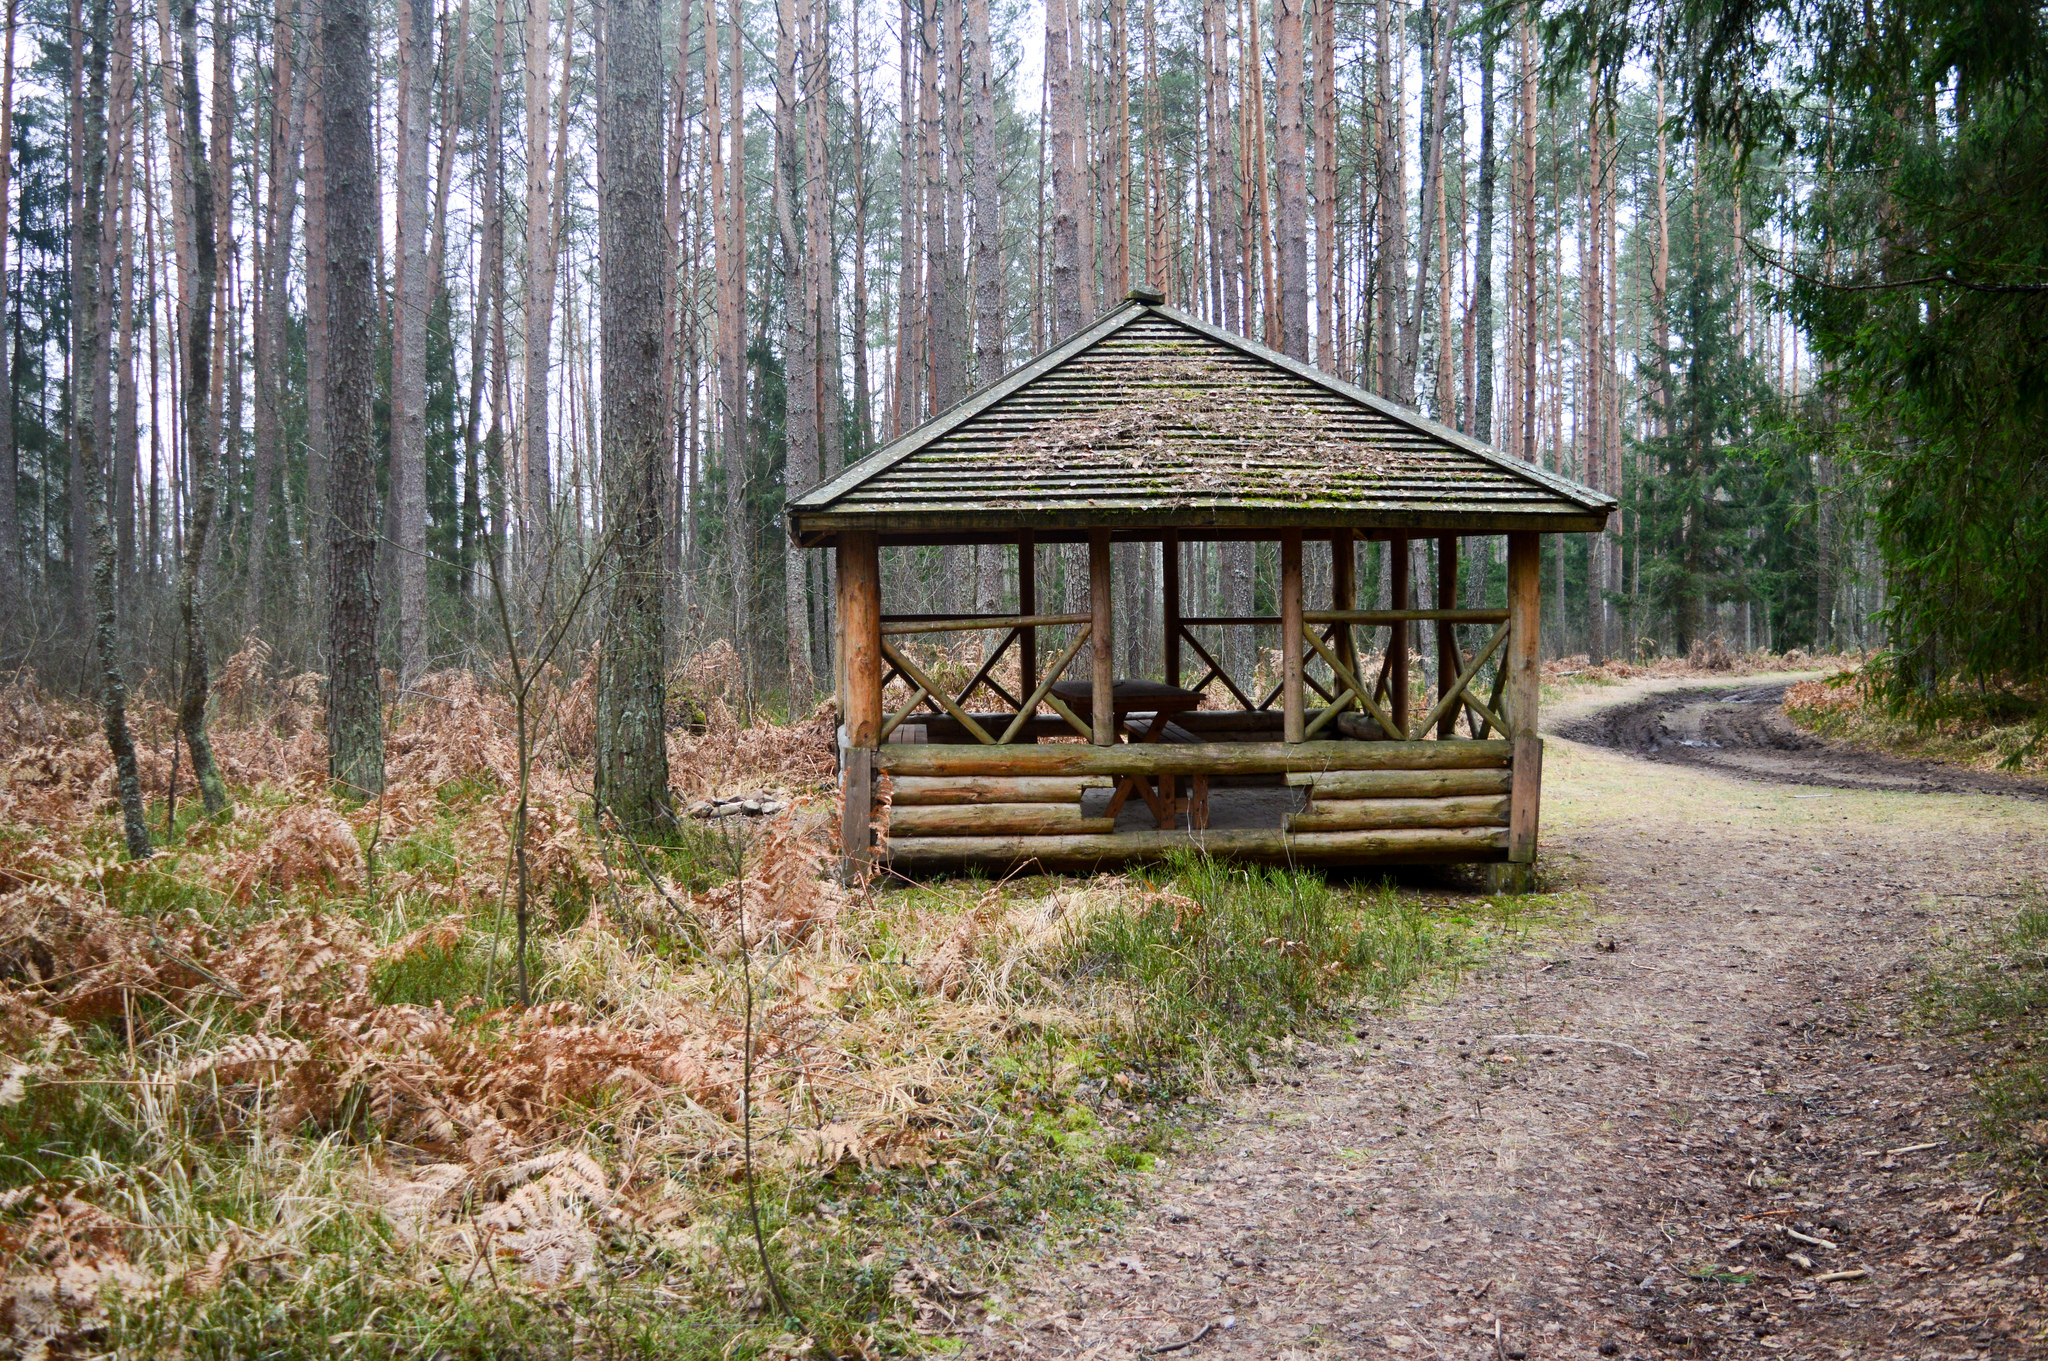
x=1998, y=996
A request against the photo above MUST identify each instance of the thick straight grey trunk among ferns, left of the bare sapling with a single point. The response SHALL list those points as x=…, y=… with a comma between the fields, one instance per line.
x=355, y=709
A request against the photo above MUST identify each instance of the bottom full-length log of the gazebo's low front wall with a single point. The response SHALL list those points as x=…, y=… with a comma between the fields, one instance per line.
x=1316, y=848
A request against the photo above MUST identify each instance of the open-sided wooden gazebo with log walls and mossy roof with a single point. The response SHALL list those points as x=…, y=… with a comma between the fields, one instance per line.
x=1160, y=429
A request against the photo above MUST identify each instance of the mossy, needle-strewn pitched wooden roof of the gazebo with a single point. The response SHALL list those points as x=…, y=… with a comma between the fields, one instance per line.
x=1154, y=421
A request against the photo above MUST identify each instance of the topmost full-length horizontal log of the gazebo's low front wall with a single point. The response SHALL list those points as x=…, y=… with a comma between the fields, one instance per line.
x=1187, y=758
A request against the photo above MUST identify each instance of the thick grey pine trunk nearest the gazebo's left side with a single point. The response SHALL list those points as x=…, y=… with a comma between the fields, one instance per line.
x=632, y=771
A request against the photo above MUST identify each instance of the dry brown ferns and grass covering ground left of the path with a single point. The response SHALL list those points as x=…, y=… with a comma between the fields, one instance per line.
x=271, y=1084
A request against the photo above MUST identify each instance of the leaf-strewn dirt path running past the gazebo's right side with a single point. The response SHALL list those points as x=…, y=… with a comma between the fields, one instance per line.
x=1736, y=1147
